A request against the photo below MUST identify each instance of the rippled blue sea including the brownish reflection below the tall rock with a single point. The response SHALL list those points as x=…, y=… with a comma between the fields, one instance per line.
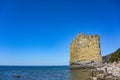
x=42, y=73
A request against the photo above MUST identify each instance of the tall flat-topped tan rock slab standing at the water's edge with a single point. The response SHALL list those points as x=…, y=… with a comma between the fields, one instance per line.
x=85, y=52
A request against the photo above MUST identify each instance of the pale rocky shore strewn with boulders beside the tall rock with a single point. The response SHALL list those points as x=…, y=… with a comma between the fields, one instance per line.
x=106, y=72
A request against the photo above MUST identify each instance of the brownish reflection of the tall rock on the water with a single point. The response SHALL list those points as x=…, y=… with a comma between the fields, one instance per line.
x=80, y=74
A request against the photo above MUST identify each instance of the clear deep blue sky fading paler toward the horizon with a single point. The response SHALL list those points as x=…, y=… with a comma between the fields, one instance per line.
x=39, y=32
